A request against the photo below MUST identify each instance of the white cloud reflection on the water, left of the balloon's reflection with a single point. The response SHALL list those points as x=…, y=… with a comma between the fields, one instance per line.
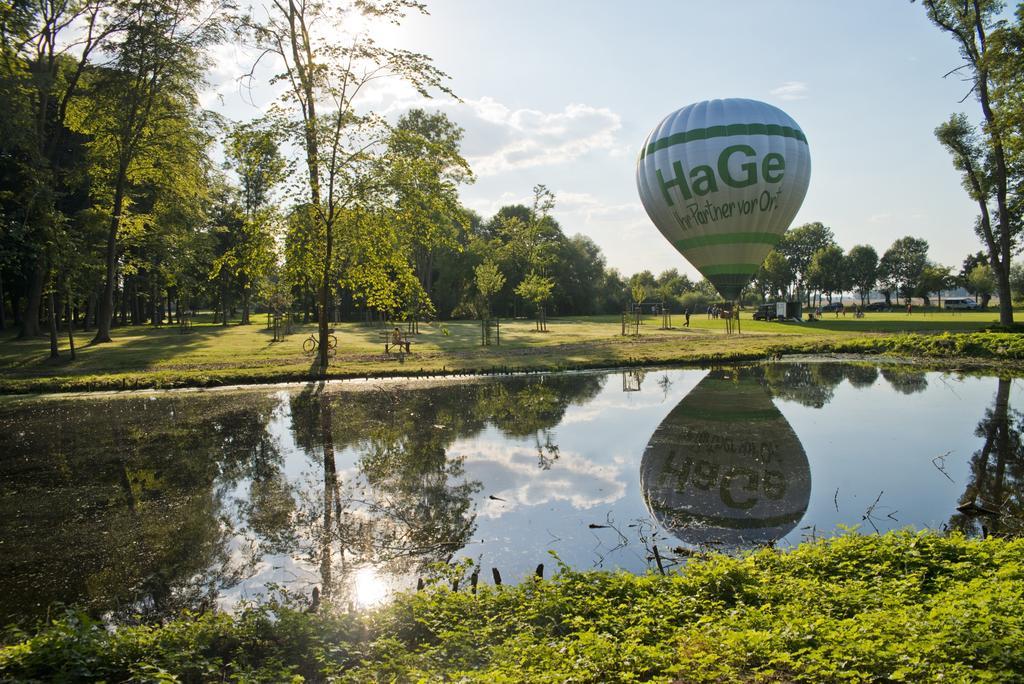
x=510, y=473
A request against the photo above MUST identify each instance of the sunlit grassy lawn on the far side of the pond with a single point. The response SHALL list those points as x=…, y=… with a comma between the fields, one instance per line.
x=211, y=356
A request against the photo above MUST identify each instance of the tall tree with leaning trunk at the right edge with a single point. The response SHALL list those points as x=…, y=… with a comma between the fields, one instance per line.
x=993, y=65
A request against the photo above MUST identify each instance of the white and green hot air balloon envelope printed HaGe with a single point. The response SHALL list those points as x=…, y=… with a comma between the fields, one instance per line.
x=722, y=181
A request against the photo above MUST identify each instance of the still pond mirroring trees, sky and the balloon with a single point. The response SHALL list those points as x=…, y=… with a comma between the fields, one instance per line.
x=143, y=504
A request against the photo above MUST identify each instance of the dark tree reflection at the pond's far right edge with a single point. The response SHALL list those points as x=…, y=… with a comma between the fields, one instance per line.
x=997, y=473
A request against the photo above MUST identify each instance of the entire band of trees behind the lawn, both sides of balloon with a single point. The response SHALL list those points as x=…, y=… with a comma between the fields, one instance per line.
x=115, y=208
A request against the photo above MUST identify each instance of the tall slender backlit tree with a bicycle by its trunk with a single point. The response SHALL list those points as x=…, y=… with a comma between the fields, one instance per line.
x=326, y=70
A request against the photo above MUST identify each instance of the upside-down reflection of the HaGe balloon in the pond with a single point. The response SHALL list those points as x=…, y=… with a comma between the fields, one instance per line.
x=726, y=467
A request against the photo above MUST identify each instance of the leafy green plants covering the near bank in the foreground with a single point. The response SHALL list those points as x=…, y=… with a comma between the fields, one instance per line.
x=899, y=608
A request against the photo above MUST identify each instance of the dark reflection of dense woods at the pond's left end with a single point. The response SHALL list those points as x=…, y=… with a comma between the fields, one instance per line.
x=120, y=507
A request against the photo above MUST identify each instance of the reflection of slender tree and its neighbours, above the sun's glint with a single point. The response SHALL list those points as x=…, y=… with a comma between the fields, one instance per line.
x=408, y=504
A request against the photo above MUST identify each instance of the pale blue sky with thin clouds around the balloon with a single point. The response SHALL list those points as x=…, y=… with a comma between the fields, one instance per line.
x=564, y=94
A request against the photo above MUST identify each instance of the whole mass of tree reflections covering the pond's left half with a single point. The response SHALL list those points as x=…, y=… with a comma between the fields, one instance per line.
x=148, y=505
